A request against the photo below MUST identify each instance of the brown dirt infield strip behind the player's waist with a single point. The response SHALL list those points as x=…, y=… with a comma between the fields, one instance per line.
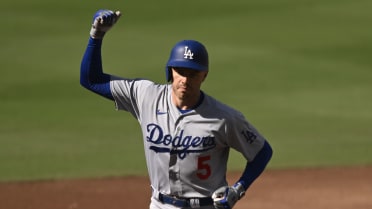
x=326, y=188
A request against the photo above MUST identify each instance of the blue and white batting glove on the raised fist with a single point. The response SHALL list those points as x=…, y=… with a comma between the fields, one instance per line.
x=103, y=21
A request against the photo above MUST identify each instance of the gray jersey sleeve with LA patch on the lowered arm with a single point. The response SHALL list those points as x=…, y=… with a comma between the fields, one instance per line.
x=244, y=137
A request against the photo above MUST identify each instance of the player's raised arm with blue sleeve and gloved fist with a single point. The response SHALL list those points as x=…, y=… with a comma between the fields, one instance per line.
x=91, y=72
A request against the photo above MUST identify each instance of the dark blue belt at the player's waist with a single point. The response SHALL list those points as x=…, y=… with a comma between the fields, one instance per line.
x=185, y=202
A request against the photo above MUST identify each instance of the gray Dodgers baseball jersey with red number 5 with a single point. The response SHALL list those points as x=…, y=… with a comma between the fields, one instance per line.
x=186, y=154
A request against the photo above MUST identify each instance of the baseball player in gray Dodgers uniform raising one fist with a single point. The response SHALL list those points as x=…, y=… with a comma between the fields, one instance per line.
x=187, y=134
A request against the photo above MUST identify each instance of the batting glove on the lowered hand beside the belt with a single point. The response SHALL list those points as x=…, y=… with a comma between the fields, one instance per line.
x=226, y=197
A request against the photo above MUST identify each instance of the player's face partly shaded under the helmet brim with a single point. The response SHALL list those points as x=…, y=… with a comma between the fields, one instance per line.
x=186, y=82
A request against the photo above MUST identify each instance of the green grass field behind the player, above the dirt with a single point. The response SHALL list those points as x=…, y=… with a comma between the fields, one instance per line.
x=299, y=70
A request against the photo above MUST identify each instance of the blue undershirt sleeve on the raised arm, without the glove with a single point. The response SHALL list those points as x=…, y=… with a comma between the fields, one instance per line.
x=91, y=72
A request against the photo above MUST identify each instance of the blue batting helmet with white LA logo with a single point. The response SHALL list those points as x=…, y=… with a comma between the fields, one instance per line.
x=187, y=54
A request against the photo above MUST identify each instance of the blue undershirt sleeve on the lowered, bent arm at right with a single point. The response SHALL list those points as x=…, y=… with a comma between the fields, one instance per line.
x=254, y=168
